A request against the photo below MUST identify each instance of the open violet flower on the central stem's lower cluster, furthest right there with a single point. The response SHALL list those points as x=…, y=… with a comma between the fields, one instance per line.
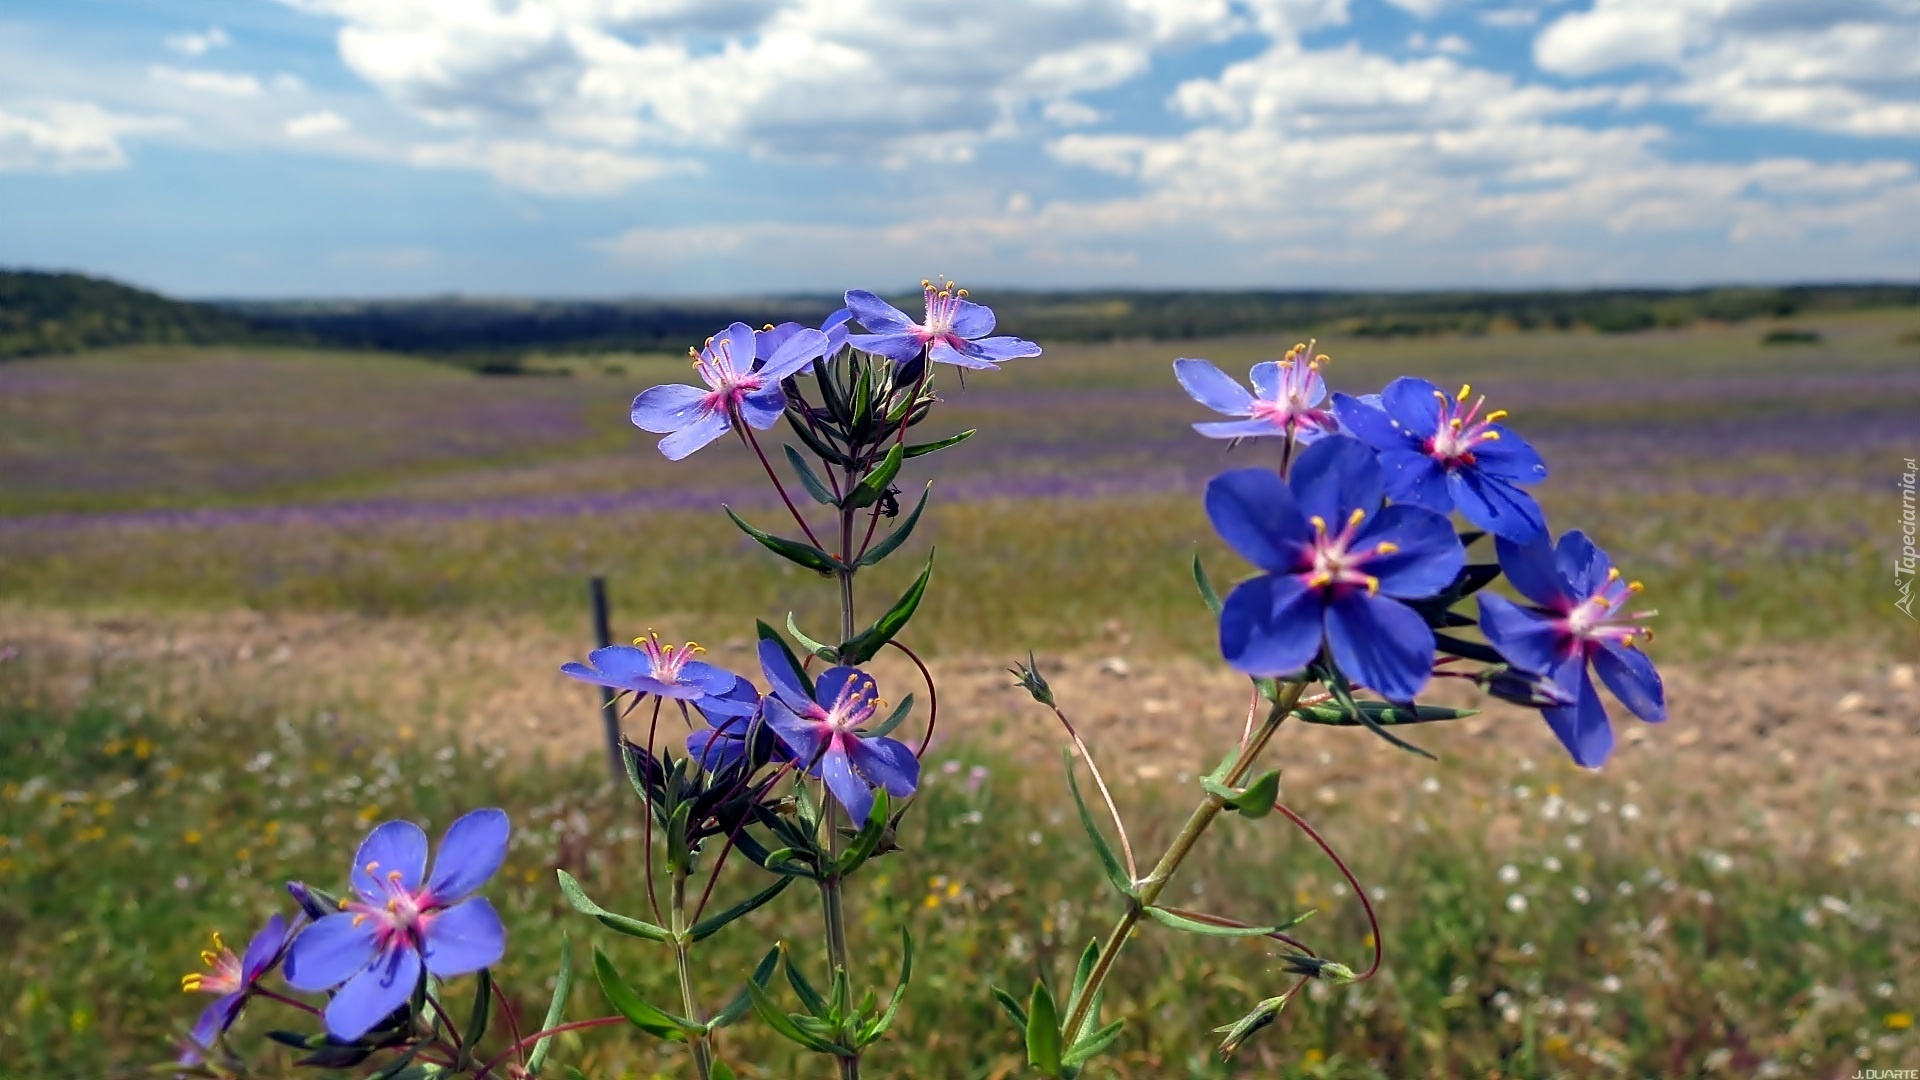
x=821, y=727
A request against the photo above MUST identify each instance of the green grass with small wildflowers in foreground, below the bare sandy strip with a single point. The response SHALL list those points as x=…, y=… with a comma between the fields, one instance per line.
x=1646, y=946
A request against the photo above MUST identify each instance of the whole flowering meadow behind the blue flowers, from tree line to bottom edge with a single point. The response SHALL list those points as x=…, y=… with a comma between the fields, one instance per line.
x=252, y=601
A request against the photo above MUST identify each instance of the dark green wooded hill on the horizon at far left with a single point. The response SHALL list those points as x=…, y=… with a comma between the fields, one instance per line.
x=68, y=312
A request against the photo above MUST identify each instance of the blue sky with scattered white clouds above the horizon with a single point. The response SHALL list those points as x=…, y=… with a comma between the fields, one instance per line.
x=362, y=149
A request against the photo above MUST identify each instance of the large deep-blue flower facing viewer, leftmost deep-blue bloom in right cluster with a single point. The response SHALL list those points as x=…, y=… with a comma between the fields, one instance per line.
x=1335, y=570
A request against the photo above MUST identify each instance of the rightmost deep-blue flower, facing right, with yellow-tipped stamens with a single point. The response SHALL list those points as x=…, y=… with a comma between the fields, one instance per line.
x=1577, y=618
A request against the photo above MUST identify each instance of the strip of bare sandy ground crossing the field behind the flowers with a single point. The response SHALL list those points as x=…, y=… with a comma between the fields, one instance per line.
x=1794, y=743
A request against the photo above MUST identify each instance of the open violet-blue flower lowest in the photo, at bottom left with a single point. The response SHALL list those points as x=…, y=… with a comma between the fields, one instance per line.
x=400, y=920
